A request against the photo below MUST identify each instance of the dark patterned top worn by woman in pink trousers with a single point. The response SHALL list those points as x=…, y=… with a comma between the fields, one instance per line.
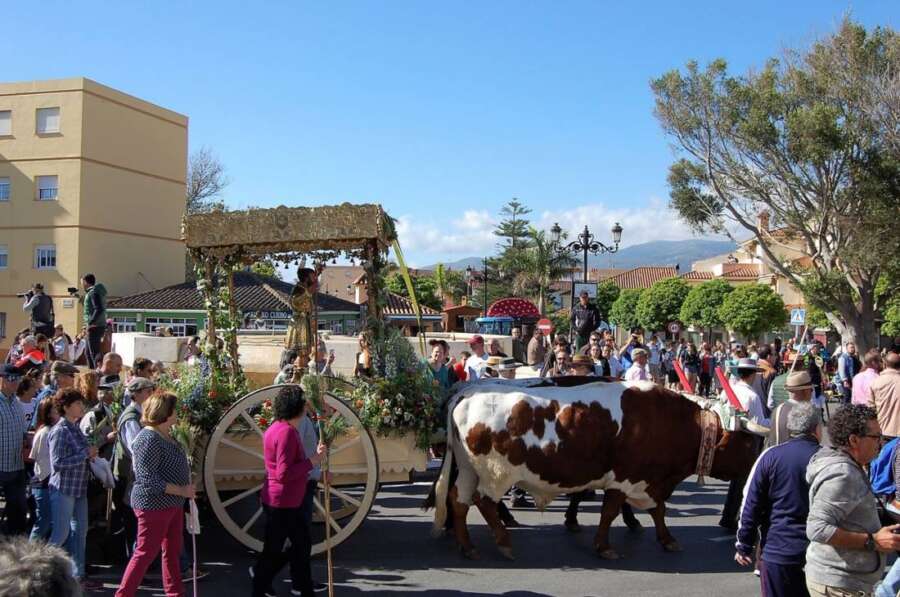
x=157, y=461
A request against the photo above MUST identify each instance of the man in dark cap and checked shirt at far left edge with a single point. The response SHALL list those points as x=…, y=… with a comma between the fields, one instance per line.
x=13, y=478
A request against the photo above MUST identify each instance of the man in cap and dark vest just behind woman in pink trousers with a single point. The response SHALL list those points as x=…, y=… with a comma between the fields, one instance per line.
x=129, y=425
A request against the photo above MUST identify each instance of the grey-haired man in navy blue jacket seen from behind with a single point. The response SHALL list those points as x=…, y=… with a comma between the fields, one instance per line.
x=776, y=505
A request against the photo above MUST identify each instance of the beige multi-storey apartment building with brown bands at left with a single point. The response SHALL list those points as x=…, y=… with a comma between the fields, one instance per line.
x=91, y=180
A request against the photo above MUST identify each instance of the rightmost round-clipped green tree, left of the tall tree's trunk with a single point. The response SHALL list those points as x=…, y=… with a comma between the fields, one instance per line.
x=753, y=309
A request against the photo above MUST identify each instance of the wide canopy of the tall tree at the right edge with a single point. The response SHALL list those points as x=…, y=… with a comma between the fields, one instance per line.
x=811, y=140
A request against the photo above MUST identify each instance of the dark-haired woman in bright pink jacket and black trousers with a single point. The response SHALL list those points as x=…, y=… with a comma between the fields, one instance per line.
x=287, y=470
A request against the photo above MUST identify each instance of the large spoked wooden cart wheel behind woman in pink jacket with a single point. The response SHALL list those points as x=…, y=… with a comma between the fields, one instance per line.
x=233, y=473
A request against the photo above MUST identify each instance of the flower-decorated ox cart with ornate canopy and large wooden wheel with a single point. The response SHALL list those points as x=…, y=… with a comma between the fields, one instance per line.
x=385, y=417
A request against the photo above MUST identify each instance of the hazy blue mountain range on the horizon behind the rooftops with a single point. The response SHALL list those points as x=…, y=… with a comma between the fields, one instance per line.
x=658, y=252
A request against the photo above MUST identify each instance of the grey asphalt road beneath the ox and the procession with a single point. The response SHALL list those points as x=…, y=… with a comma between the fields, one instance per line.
x=393, y=553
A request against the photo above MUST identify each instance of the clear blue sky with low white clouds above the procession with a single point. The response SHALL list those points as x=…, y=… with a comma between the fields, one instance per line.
x=441, y=112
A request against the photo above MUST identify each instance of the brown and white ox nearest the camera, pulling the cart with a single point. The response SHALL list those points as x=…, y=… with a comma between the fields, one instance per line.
x=637, y=441
